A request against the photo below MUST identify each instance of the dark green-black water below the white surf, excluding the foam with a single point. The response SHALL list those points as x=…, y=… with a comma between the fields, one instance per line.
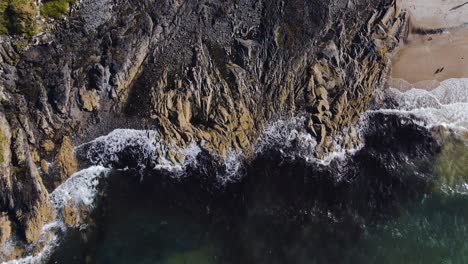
x=392, y=204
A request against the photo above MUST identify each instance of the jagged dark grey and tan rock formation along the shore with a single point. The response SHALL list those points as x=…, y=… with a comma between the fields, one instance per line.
x=211, y=72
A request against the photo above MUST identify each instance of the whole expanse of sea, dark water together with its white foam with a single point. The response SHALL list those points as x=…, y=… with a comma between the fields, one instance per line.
x=400, y=197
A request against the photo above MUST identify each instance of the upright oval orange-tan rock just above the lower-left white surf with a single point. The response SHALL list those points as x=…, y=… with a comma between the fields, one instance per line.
x=65, y=159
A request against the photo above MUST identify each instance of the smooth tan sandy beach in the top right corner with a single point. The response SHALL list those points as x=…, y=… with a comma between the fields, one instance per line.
x=426, y=59
